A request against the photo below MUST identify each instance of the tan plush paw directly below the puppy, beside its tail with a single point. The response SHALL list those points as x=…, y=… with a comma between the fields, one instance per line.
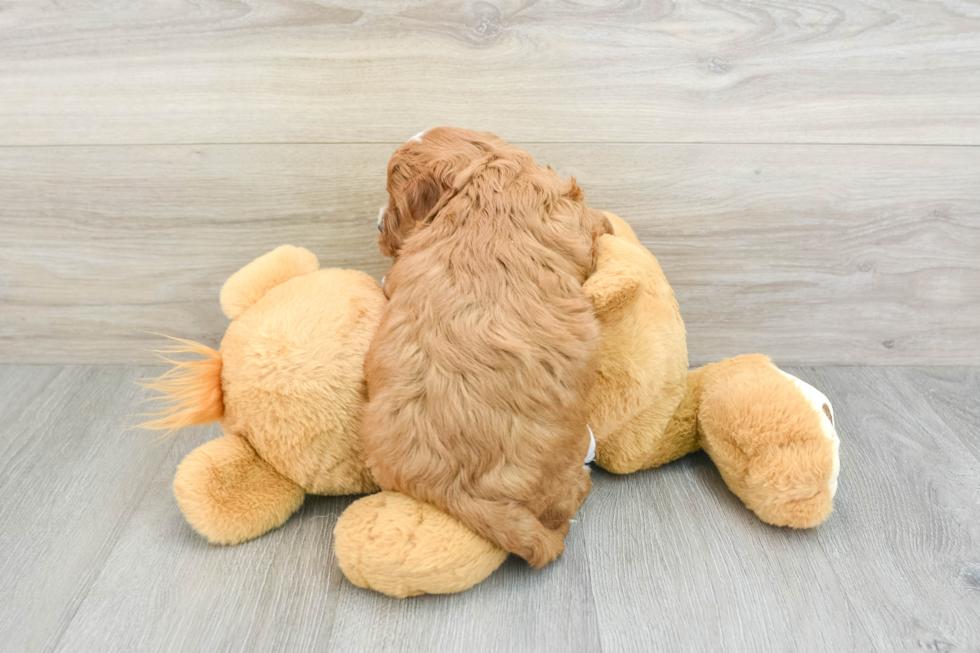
x=401, y=547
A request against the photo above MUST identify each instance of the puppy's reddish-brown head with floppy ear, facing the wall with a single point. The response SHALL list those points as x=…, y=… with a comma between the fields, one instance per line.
x=424, y=174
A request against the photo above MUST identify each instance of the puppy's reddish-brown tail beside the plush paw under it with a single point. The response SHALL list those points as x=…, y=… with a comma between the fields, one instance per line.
x=510, y=526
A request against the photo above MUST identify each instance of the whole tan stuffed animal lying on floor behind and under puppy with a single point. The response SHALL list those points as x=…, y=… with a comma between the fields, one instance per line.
x=288, y=389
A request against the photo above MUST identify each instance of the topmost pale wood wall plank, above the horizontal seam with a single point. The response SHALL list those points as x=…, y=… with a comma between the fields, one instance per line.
x=272, y=71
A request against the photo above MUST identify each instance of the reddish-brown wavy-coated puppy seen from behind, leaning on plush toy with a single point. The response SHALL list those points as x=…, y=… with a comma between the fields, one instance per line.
x=481, y=369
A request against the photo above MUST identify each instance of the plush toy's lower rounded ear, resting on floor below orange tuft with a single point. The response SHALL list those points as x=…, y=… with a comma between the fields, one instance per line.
x=229, y=494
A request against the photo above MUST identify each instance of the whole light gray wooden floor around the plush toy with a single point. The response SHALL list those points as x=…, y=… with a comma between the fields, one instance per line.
x=95, y=556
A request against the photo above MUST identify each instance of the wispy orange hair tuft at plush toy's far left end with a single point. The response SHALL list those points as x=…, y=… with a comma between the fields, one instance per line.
x=190, y=391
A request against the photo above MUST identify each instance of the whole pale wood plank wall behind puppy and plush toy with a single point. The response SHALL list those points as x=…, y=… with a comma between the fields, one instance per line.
x=808, y=176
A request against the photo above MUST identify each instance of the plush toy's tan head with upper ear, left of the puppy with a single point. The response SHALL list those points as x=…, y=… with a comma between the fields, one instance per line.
x=292, y=367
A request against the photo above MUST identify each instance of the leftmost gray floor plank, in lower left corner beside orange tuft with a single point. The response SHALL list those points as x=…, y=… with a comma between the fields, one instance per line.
x=70, y=477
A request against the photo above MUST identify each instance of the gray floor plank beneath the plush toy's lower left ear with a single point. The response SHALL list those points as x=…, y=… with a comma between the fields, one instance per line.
x=164, y=588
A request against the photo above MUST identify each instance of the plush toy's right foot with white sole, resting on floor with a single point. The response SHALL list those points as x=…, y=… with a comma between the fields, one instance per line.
x=772, y=438
